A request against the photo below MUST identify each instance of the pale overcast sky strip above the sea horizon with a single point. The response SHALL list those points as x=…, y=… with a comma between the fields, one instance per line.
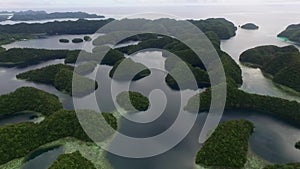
x=10, y=4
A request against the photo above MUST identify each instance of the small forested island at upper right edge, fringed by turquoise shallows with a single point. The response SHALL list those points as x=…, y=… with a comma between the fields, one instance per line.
x=292, y=33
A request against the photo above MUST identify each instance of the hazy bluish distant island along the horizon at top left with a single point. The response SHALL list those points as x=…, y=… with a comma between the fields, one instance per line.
x=43, y=15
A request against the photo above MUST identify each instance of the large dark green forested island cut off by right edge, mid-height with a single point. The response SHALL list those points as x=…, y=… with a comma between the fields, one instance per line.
x=283, y=64
